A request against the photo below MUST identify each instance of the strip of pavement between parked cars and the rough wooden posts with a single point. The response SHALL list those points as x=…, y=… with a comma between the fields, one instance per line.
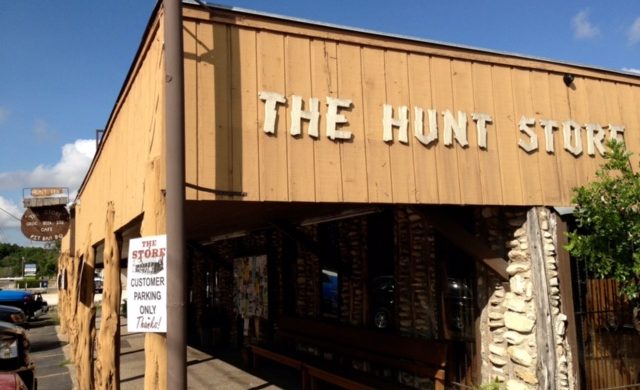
x=52, y=368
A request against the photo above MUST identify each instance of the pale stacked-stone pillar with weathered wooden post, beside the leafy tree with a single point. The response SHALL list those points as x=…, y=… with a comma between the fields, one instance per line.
x=511, y=328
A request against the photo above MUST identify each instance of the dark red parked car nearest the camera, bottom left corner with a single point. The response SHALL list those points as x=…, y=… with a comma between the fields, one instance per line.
x=14, y=354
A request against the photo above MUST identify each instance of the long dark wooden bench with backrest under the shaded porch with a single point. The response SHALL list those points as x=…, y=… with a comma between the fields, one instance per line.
x=381, y=350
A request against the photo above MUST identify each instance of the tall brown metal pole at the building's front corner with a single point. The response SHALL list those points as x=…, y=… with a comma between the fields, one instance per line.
x=176, y=259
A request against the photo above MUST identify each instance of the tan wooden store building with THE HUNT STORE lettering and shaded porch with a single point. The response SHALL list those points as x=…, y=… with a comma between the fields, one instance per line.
x=361, y=209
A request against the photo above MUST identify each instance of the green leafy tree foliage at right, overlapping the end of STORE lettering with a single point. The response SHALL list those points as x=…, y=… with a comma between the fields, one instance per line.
x=607, y=215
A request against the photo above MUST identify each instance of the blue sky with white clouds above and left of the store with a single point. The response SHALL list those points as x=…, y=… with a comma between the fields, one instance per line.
x=63, y=63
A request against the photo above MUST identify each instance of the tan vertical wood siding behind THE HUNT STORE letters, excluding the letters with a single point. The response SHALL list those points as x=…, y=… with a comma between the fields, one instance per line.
x=230, y=63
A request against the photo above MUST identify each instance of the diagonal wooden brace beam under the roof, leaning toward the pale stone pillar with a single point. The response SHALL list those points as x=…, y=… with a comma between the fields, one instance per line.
x=467, y=242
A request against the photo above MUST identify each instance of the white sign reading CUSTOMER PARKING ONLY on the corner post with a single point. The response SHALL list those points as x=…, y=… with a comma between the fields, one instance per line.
x=147, y=285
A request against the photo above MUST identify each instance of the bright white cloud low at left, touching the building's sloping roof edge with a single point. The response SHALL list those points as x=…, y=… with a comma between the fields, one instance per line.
x=68, y=172
